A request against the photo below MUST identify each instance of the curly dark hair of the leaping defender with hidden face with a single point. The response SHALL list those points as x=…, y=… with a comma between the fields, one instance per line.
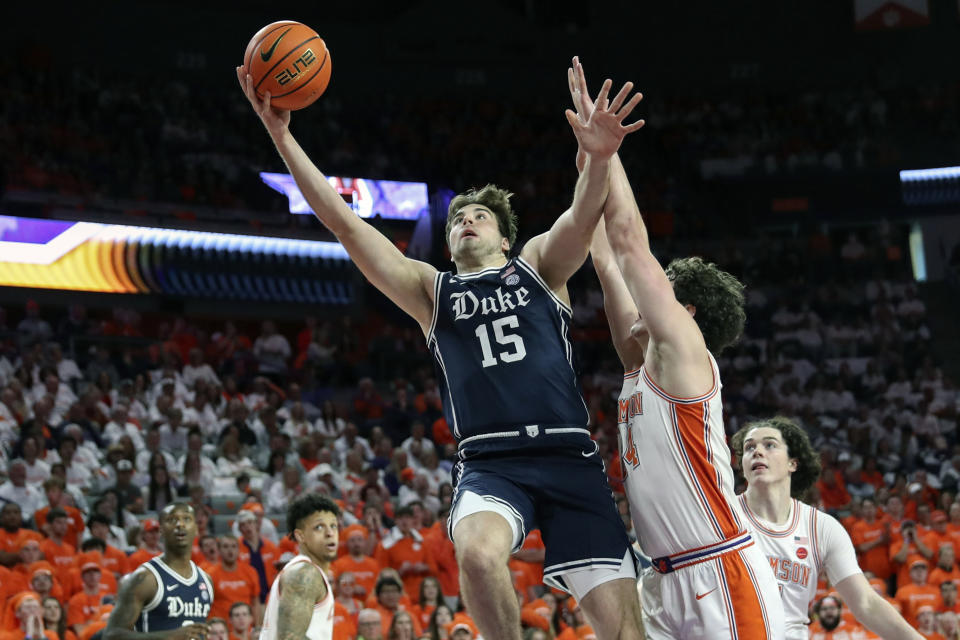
x=717, y=296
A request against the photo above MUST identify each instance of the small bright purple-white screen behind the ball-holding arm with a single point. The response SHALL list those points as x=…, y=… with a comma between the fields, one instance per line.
x=388, y=199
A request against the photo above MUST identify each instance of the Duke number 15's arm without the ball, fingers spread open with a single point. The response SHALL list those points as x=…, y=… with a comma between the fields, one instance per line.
x=559, y=252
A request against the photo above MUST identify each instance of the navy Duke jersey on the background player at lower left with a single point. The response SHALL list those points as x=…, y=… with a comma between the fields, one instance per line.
x=179, y=601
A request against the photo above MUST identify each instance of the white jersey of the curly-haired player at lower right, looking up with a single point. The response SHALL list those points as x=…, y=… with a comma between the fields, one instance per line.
x=809, y=542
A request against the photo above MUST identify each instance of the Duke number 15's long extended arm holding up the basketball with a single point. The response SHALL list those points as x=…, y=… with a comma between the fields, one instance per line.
x=408, y=283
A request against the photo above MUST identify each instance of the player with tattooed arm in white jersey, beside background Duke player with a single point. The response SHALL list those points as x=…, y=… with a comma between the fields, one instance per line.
x=301, y=599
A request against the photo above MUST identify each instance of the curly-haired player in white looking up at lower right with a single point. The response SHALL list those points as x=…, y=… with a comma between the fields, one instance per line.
x=800, y=541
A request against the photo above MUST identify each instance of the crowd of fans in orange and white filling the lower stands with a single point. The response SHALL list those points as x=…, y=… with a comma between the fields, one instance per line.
x=94, y=443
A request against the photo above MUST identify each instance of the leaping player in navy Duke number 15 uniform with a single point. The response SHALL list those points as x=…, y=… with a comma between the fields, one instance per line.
x=498, y=328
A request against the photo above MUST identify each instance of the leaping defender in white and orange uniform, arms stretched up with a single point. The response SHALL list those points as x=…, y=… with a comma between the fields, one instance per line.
x=711, y=581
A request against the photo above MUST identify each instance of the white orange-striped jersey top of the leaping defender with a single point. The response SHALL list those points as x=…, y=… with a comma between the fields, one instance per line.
x=677, y=465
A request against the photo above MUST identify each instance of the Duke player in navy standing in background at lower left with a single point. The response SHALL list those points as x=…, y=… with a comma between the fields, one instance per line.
x=168, y=597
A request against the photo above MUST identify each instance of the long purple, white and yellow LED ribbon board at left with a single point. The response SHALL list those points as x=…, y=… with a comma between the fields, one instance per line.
x=88, y=256
